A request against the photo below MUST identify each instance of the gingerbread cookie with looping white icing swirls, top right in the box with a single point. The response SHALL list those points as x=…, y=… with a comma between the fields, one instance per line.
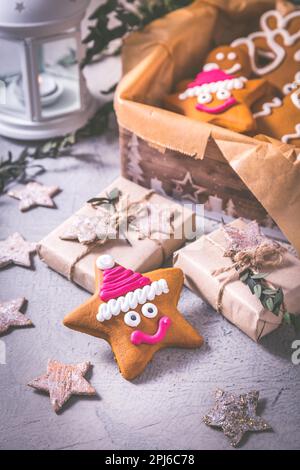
x=278, y=43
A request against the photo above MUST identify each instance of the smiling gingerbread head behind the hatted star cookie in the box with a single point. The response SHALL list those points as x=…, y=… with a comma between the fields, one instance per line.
x=232, y=60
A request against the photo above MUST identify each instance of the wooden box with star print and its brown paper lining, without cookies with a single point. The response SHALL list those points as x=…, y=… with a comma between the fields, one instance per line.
x=185, y=158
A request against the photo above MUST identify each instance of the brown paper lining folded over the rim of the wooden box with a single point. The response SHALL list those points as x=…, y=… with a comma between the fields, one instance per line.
x=173, y=48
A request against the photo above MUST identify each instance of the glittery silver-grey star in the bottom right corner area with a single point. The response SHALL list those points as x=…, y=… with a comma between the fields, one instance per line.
x=236, y=415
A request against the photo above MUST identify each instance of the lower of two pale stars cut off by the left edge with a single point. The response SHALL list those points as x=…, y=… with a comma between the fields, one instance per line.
x=10, y=315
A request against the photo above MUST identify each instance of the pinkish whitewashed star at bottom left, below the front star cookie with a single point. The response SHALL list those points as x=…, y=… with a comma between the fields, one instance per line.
x=62, y=381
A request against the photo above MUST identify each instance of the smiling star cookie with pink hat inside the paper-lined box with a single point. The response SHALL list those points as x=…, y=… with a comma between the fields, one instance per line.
x=218, y=98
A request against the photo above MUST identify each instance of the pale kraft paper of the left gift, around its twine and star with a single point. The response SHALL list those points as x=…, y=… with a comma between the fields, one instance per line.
x=143, y=255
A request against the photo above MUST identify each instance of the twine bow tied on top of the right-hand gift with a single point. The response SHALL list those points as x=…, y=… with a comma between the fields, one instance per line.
x=267, y=254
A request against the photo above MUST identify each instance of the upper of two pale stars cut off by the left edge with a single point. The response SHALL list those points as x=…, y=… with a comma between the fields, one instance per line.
x=16, y=250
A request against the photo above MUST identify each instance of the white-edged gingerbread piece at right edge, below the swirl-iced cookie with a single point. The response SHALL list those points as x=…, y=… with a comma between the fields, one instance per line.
x=281, y=119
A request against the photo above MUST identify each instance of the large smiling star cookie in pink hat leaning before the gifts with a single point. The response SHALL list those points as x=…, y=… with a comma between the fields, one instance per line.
x=137, y=314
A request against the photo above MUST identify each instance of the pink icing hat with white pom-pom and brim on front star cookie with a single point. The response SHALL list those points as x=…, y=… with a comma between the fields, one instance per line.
x=123, y=289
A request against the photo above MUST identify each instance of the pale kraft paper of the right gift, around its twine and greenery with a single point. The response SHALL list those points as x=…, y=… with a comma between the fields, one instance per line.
x=200, y=258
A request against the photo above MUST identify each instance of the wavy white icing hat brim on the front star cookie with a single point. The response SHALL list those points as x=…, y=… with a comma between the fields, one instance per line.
x=131, y=300
